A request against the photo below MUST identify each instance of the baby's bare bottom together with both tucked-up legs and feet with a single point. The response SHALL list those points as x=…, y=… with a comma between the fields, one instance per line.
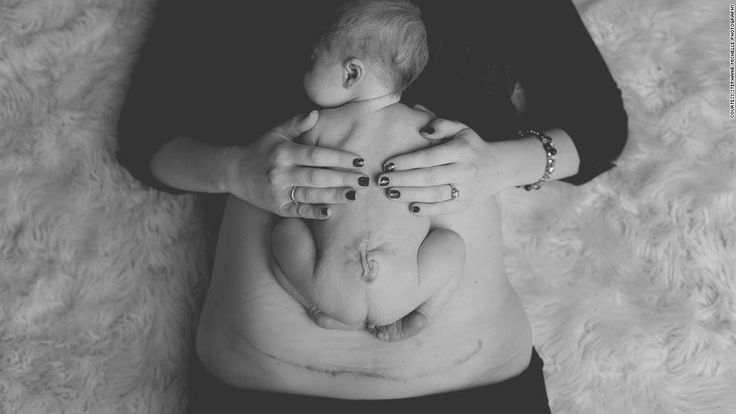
x=395, y=305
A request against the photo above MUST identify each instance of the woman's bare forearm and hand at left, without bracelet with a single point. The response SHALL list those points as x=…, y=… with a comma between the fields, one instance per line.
x=264, y=172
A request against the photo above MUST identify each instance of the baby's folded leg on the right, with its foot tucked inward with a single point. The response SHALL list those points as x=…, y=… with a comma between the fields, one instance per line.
x=441, y=260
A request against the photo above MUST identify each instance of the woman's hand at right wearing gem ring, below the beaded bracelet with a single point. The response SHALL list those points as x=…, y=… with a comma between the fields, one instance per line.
x=426, y=178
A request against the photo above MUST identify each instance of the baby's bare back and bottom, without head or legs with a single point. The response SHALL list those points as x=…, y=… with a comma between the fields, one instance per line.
x=366, y=265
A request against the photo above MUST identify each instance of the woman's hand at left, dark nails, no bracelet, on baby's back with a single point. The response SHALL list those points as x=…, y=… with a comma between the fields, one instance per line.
x=265, y=172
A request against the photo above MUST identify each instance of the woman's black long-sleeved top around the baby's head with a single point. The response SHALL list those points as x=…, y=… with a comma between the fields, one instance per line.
x=225, y=71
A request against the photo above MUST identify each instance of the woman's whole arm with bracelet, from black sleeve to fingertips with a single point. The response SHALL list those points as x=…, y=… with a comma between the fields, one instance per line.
x=570, y=95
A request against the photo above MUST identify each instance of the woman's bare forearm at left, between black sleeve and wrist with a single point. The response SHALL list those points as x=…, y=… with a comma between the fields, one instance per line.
x=190, y=165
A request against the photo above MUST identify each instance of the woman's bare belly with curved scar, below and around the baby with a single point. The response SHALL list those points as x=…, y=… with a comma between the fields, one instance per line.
x=252, y=334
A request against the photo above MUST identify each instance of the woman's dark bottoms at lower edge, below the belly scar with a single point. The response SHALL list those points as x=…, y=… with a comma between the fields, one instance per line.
x=526, y=393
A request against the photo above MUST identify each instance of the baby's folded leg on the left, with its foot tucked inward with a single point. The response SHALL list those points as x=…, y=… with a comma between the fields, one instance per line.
x=295, y=254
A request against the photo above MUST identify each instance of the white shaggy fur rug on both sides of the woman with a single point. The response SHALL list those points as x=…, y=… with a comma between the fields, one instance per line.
x=629, y=281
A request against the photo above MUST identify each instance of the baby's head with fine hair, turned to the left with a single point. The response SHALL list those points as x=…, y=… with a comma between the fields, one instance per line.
x=371, y=45
